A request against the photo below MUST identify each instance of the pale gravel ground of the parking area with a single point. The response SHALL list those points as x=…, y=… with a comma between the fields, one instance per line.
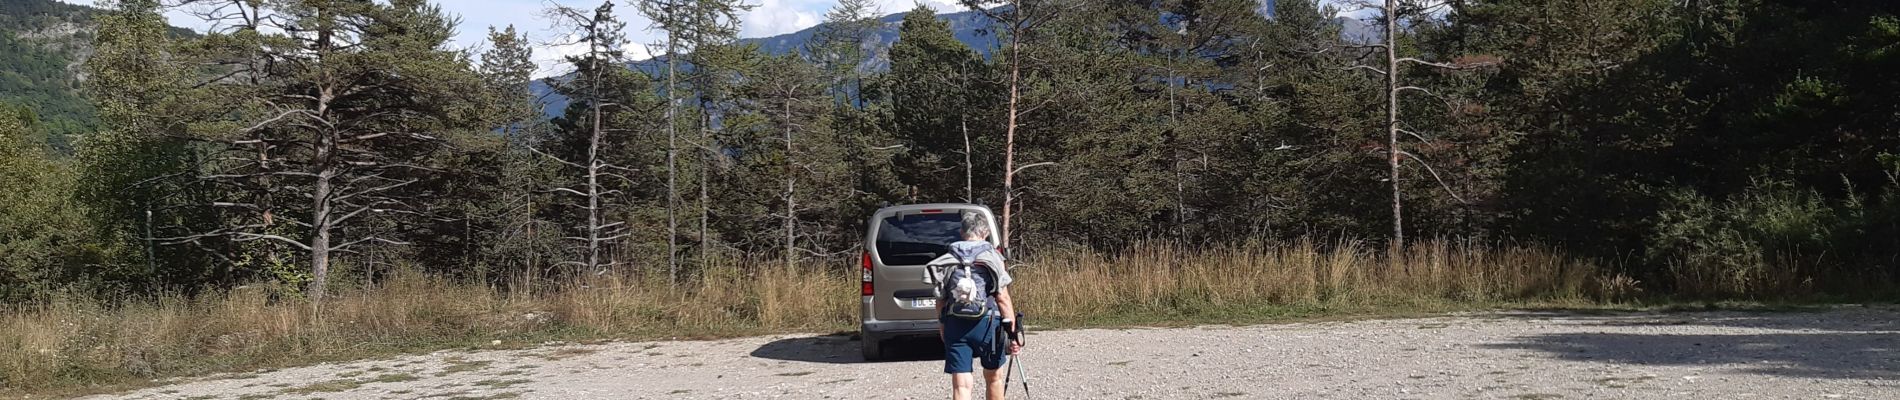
x=1838, y=354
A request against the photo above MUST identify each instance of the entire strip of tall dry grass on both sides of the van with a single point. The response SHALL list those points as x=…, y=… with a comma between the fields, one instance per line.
x=81, y=346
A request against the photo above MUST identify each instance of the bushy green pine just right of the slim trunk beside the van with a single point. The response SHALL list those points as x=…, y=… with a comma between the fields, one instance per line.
x=1093, y=107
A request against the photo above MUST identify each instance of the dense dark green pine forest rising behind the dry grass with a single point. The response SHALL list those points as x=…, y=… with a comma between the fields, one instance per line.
x=1705, y=149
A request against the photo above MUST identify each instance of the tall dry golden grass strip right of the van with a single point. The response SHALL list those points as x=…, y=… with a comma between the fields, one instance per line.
x=1244, y=283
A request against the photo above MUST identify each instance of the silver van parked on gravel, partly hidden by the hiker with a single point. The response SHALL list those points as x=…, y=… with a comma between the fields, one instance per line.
x=898, y=244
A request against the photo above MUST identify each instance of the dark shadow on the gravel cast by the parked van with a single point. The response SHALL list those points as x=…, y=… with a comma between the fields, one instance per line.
x=845, y=350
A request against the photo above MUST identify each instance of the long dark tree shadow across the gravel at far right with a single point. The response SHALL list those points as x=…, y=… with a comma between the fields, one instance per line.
x=1817, y=346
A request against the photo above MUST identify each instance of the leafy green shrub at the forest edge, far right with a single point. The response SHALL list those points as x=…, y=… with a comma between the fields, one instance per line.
x=1777, y=242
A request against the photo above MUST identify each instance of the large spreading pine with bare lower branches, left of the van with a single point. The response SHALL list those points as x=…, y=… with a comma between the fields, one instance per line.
x=326, y=136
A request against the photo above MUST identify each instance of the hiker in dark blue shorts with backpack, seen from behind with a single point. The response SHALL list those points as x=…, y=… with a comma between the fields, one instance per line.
x=987, y=333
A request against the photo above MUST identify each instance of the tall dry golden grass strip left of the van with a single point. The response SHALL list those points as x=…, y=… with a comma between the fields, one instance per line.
x=83, y=346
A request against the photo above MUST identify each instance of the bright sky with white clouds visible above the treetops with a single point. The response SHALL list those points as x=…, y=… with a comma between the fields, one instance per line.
x=769, y=18
